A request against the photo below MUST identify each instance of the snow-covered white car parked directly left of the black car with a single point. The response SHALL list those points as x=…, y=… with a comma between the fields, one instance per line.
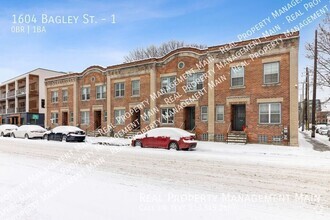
x=29, y=131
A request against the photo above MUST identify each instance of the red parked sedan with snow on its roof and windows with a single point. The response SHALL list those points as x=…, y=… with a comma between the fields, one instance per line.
x=167, y=138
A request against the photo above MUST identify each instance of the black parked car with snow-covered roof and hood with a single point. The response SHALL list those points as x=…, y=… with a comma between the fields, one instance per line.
x=65, y=133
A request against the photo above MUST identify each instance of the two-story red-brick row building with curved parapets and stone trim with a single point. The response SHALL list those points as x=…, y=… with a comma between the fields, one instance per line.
x=248, y=86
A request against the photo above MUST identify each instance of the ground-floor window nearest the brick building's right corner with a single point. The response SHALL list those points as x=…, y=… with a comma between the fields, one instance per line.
x=270, y=113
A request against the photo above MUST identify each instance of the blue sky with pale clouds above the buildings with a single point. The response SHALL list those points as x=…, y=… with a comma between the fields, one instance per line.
x=31, y=37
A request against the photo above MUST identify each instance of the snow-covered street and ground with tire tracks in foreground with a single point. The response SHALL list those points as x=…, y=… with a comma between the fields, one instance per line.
x=55, y=180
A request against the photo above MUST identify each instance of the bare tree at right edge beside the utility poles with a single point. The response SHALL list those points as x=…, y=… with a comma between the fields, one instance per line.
x=323, y=47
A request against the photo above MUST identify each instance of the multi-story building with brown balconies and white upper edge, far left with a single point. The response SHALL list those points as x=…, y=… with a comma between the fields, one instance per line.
x=22, y=99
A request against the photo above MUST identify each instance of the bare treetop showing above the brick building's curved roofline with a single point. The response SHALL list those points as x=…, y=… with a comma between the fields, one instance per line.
x=158, y=51
